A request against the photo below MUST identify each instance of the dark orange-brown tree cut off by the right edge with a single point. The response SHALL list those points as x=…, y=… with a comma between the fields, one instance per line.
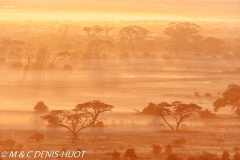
x=230, y=98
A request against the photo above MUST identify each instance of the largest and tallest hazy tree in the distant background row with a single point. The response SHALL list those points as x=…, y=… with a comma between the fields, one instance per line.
x=181, y=34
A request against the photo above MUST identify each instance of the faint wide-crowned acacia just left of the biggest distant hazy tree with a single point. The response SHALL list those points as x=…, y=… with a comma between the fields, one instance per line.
x=134, y=33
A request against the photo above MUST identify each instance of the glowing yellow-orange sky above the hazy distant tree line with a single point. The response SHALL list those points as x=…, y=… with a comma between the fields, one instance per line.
x=206, y=10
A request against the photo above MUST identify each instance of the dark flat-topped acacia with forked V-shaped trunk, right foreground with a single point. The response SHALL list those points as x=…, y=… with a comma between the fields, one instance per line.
x=177, y=110
